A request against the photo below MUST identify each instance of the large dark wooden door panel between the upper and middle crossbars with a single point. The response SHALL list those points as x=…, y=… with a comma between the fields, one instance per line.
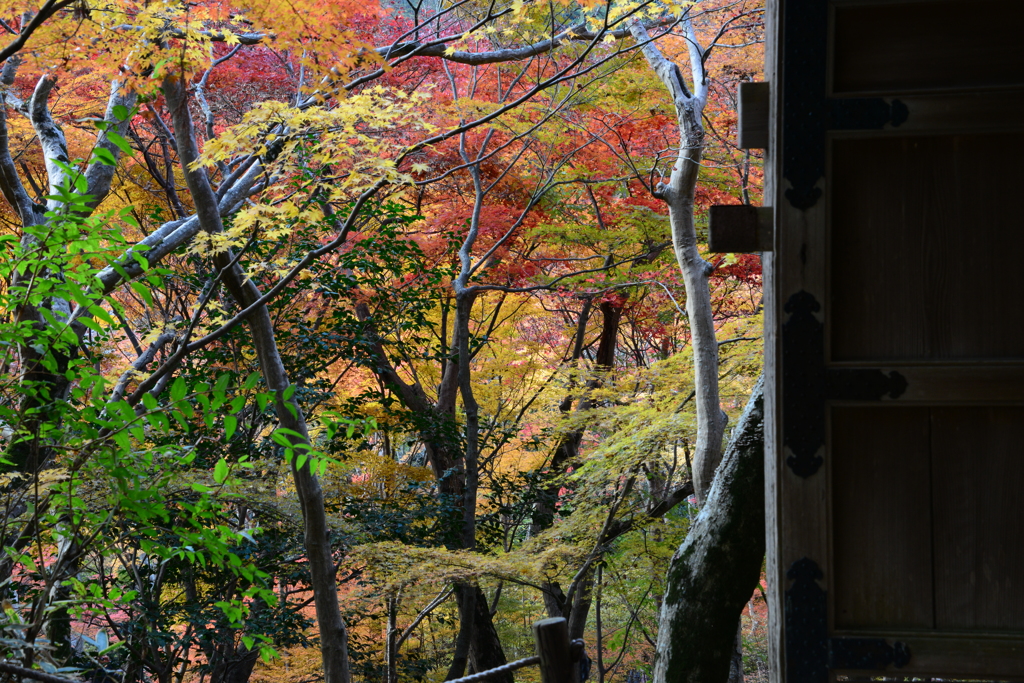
x=917, y=227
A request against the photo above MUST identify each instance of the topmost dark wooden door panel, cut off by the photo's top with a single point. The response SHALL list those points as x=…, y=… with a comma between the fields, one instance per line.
x=928, y=47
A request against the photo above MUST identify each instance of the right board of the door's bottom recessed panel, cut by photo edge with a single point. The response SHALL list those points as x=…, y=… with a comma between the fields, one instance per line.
x=978, y=480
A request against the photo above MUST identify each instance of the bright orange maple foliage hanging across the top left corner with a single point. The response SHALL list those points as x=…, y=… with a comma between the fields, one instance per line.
x=140, y=40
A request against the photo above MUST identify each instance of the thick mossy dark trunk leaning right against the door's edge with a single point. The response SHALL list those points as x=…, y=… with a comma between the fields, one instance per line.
x=717, y=568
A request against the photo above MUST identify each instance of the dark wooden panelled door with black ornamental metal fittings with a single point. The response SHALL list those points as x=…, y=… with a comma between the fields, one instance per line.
x=895, y=339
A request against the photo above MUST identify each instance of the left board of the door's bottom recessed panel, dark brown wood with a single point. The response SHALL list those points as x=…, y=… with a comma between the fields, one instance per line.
x=881, y=504
